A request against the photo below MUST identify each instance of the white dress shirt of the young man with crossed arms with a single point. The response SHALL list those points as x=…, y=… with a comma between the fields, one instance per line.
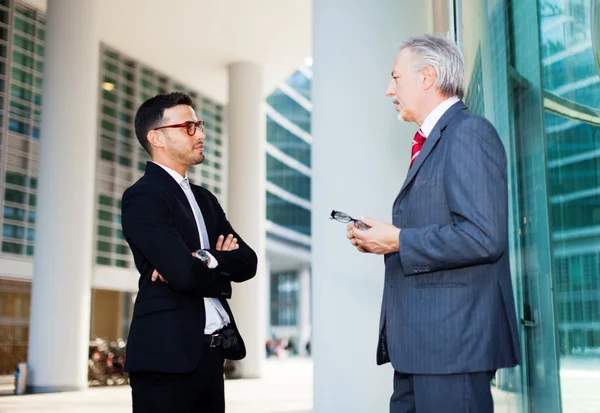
x=216, y=316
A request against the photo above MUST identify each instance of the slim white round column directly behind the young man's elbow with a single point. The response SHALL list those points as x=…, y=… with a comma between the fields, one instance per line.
x=246, y=203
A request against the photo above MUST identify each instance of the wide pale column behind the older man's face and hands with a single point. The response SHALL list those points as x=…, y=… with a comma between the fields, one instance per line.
x=360, y=157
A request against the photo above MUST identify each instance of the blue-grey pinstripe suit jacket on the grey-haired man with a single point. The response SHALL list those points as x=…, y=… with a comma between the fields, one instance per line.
x=448, y=303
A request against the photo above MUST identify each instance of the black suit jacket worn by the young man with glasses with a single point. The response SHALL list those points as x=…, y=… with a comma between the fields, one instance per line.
x=167, y=328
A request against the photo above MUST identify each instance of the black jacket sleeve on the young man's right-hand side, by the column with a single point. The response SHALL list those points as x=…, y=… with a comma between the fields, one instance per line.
x=237, y=265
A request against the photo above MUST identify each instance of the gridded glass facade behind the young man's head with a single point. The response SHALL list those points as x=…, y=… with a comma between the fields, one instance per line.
x=125, y=84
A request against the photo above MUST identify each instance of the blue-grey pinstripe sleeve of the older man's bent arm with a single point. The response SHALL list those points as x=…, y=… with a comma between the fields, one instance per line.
x=476, y=192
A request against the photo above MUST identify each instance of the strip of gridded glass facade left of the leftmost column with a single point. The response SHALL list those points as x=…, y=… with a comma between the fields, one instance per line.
x=21, y=72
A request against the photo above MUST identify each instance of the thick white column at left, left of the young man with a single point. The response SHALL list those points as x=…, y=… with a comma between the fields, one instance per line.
x=60, y=295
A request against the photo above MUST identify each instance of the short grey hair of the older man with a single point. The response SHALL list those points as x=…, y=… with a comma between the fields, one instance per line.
x=444, y=57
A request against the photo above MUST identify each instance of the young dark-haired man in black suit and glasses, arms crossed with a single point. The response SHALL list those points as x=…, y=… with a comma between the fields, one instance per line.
x=187, y=254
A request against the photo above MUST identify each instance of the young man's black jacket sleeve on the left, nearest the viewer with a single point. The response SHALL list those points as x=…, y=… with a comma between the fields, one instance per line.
x=148, y=228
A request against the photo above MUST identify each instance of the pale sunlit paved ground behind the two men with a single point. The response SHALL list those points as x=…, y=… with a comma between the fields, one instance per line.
x=287, y=388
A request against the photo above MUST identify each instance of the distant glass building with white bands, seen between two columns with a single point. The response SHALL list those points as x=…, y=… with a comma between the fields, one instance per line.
x=289, y=140
